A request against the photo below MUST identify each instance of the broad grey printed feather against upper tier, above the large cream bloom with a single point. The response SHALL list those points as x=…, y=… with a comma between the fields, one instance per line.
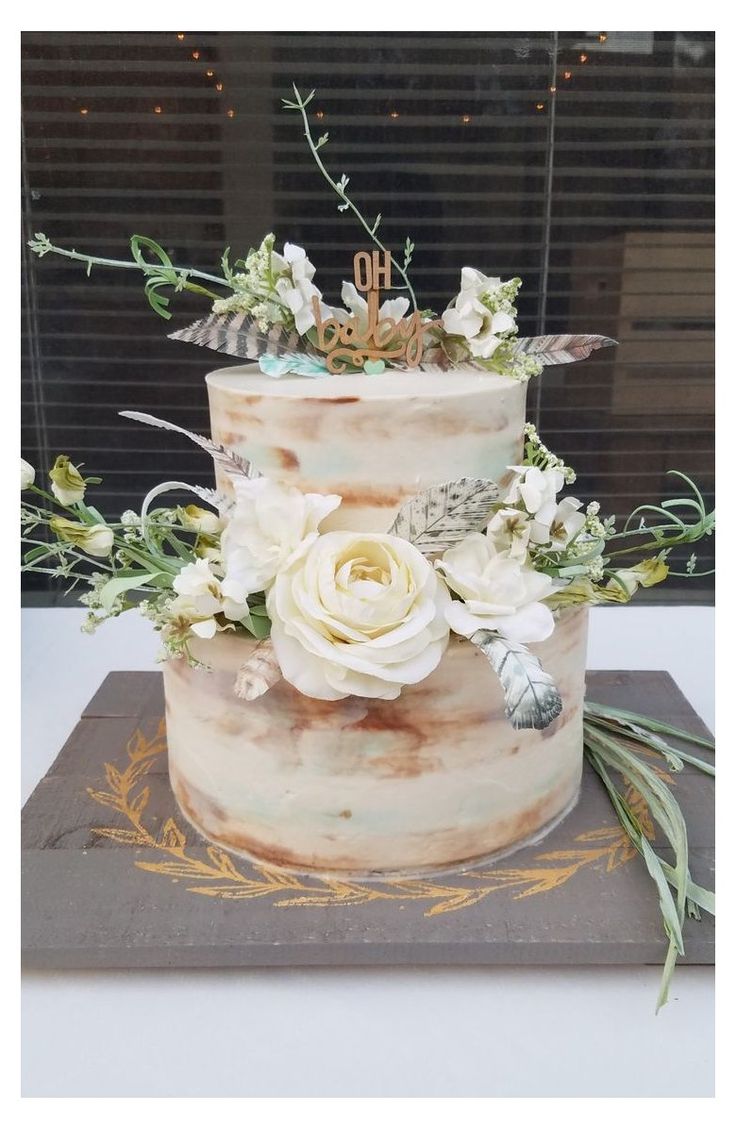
x=442, y=517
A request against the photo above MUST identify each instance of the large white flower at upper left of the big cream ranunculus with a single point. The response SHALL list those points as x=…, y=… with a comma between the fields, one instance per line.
x=269, y=524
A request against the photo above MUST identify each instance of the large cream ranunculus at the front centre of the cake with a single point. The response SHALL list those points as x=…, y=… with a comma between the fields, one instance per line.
x=358, y=614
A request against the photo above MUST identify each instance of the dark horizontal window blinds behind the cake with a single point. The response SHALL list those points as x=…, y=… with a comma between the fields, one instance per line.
x=582, y=162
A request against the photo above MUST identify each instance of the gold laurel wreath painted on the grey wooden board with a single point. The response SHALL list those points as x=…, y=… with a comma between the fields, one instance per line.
x=225, y=878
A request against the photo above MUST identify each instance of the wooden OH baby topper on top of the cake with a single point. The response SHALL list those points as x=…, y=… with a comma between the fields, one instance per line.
x=356, y=342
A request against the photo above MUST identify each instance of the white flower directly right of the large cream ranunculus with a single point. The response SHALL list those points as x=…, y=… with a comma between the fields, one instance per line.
x=501, y=593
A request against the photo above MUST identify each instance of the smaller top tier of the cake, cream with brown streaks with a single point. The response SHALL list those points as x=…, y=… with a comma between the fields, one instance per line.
x=376, y=441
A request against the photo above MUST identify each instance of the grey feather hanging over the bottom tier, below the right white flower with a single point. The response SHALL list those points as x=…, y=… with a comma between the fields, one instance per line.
x=532, y=699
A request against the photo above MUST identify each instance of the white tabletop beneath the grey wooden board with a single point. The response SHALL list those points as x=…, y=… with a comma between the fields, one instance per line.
x=506, y=1032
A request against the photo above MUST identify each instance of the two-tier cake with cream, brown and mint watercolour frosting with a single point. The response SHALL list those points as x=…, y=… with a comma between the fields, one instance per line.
x=435, y=777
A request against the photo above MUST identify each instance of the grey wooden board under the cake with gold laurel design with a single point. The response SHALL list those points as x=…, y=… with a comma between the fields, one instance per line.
x=115, y=878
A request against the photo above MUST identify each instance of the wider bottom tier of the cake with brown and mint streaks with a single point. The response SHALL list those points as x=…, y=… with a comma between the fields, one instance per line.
x=434, y=780
